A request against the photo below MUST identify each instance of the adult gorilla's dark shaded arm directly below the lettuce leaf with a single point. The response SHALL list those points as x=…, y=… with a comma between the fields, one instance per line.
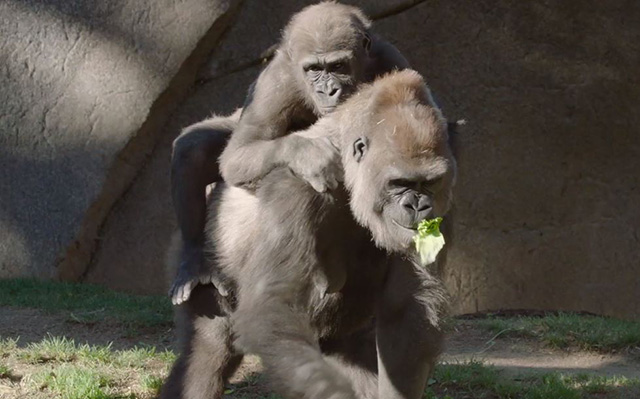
x=408, y=331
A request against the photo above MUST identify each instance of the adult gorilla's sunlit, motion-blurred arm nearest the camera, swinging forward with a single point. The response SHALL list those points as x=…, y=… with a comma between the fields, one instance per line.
x=272, y=319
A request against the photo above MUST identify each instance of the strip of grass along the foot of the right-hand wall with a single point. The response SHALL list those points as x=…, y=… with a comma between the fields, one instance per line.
x=570, y=330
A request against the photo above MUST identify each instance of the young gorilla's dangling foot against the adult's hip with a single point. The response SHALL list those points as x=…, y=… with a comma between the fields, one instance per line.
x=191, y=273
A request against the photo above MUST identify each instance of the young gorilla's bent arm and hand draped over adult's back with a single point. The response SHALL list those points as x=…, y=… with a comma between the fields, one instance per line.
x=260, y=142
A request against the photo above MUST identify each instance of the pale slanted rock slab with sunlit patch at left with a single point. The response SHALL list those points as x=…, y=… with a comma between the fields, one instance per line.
x=84, y=85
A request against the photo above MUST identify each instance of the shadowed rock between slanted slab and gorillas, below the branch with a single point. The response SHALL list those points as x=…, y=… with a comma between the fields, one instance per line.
x=137, y=232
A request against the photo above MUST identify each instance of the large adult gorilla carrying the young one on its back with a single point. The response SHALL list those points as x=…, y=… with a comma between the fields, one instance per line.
x=375, y=332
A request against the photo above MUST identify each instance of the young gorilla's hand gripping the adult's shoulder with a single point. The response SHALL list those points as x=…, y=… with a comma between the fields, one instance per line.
x=317, y=161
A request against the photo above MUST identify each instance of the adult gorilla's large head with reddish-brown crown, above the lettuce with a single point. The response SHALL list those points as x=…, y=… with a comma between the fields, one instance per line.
x=398, y=165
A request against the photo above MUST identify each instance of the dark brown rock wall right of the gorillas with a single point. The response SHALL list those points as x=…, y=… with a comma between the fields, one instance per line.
x=547, y=204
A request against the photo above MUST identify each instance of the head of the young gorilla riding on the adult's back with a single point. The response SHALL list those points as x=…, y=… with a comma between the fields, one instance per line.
x=327, y=45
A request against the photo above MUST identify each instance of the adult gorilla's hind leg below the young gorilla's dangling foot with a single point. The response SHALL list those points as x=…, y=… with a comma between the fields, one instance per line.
x=207, y=357
